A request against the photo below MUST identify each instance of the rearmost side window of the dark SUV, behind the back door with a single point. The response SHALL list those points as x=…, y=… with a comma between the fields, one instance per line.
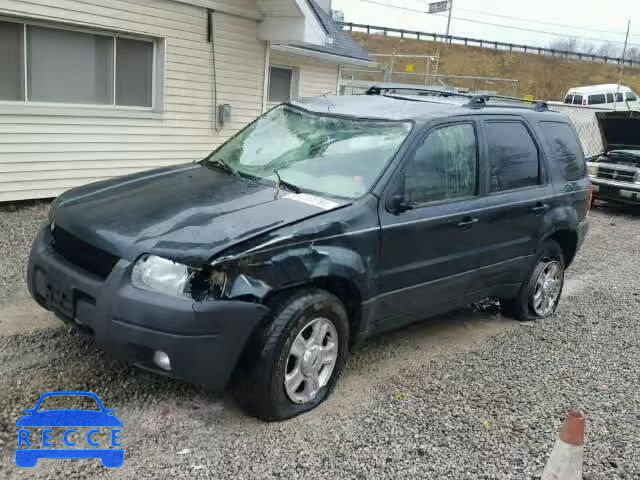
x=565, y=149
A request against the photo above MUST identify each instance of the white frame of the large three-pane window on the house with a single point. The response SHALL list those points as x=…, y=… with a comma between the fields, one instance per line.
x=156, y=102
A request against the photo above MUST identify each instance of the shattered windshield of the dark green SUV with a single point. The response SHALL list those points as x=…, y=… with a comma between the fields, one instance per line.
x=336, y=156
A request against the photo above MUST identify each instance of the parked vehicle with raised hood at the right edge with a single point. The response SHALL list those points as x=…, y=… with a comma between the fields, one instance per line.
x=615, y=174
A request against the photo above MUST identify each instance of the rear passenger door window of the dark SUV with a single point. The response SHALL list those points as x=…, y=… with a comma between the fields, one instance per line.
x=513, y=156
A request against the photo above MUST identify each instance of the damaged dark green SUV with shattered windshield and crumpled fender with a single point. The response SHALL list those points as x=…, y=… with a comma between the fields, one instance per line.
x=318, y=225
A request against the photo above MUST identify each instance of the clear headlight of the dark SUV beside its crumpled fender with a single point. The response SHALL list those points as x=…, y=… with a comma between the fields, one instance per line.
x=161, y=275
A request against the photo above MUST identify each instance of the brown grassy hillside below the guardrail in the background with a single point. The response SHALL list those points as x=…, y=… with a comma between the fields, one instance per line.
x=541, y=76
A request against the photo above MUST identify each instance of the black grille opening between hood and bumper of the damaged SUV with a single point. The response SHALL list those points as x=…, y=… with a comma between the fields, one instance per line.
x=82, y=254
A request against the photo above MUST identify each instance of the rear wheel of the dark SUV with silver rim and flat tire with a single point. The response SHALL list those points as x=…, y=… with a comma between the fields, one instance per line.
x=539, y=295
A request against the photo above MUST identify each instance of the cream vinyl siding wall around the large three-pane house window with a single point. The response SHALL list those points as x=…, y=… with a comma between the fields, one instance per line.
x=45, y=150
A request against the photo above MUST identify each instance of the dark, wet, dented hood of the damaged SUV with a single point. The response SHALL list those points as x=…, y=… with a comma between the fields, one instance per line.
x=188, y=213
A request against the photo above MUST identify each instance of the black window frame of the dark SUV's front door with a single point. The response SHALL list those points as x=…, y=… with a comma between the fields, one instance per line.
x=398, y=182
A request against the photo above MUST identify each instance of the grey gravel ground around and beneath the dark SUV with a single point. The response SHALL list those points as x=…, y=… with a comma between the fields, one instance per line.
x=469, y=395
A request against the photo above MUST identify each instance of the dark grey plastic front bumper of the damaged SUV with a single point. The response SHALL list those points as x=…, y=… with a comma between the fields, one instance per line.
x=203, y=340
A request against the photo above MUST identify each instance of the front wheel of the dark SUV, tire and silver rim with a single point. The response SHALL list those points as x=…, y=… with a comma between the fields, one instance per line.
x=260, y=385
